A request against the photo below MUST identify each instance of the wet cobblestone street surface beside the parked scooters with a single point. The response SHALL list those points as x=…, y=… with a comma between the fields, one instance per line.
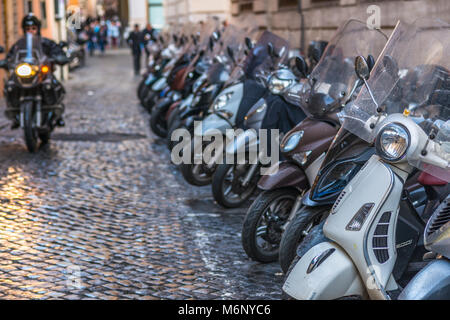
x=100, y=213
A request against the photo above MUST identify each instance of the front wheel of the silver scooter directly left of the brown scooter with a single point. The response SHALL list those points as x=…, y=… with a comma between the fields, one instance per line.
x=220, y=192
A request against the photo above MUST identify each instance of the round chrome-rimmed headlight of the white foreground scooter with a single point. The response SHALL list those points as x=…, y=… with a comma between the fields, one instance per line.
x=392, y=142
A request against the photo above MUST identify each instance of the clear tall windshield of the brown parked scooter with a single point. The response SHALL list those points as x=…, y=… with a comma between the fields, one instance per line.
x=334, y=77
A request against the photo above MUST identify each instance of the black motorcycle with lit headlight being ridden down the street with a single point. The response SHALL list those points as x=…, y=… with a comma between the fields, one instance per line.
x=33, y=95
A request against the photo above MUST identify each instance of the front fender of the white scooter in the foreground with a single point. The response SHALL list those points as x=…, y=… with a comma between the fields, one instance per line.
x=325, y=272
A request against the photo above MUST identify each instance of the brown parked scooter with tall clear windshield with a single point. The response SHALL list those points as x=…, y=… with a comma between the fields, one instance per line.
x=330, y=85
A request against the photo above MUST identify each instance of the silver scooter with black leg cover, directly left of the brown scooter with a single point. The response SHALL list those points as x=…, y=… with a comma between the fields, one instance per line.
x=233, y=184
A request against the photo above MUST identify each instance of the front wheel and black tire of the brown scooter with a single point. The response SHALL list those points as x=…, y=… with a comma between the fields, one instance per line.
x=253, y=228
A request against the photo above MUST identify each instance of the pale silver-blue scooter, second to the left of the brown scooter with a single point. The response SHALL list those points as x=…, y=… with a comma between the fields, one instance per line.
x=228, y=110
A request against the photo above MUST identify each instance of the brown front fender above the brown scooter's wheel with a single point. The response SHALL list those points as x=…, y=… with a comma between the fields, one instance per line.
x=286, y=174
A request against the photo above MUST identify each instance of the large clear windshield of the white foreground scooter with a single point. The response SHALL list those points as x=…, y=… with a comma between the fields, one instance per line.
x=411, y=76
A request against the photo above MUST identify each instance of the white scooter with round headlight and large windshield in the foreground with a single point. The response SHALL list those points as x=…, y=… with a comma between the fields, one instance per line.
x=403, y=109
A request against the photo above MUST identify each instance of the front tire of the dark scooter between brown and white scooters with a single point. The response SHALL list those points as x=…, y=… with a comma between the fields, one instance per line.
x=304, y=221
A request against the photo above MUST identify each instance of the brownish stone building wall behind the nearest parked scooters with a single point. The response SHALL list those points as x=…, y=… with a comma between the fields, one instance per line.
x=301, y=21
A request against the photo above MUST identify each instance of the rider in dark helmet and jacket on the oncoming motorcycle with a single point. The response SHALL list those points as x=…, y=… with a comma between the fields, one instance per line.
x=32, y=25
